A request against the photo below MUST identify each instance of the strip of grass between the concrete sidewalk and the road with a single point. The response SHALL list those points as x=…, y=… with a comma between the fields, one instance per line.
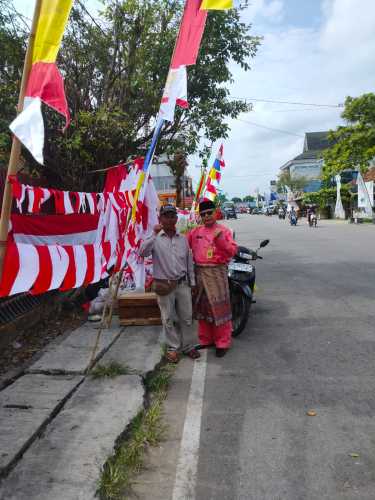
x=147, y=429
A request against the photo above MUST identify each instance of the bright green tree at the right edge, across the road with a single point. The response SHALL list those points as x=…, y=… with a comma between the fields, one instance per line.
x=354, y=143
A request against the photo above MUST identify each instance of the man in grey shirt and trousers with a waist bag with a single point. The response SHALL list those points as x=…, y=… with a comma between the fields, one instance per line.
x=173, y=269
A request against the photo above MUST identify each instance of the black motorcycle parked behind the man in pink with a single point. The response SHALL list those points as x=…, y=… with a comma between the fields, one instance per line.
x=241, y=276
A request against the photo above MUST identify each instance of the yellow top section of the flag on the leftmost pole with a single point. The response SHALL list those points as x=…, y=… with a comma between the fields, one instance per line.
x=51, y=25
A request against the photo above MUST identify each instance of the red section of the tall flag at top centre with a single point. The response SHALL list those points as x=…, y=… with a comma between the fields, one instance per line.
x=190, y=34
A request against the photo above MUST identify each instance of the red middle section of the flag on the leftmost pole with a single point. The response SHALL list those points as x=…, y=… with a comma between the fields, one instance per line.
x=45, y=81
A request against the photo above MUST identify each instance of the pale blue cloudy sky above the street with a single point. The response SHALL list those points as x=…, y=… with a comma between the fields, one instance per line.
x=314, y=51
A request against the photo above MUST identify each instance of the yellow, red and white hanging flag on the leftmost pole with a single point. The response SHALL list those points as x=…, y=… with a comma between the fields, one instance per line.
x=45, y=83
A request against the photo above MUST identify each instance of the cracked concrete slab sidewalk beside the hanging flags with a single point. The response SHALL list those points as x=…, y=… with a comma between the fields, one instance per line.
x=59, y=426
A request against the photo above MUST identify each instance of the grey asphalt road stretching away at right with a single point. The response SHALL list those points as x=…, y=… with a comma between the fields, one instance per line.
x=309, y=344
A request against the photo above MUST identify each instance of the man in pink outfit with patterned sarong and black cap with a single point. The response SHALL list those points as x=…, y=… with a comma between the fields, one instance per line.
x=213, y=247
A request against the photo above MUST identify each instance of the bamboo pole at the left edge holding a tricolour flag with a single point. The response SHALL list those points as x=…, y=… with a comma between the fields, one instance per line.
x=13, y=165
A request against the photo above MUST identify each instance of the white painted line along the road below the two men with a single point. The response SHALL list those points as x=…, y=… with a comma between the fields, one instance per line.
x=187, y=465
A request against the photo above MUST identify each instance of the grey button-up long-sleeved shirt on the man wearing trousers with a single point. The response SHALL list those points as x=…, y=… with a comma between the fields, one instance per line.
x=171, y=257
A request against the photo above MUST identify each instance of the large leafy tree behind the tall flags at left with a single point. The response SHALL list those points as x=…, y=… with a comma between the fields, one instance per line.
x=115, y=69
